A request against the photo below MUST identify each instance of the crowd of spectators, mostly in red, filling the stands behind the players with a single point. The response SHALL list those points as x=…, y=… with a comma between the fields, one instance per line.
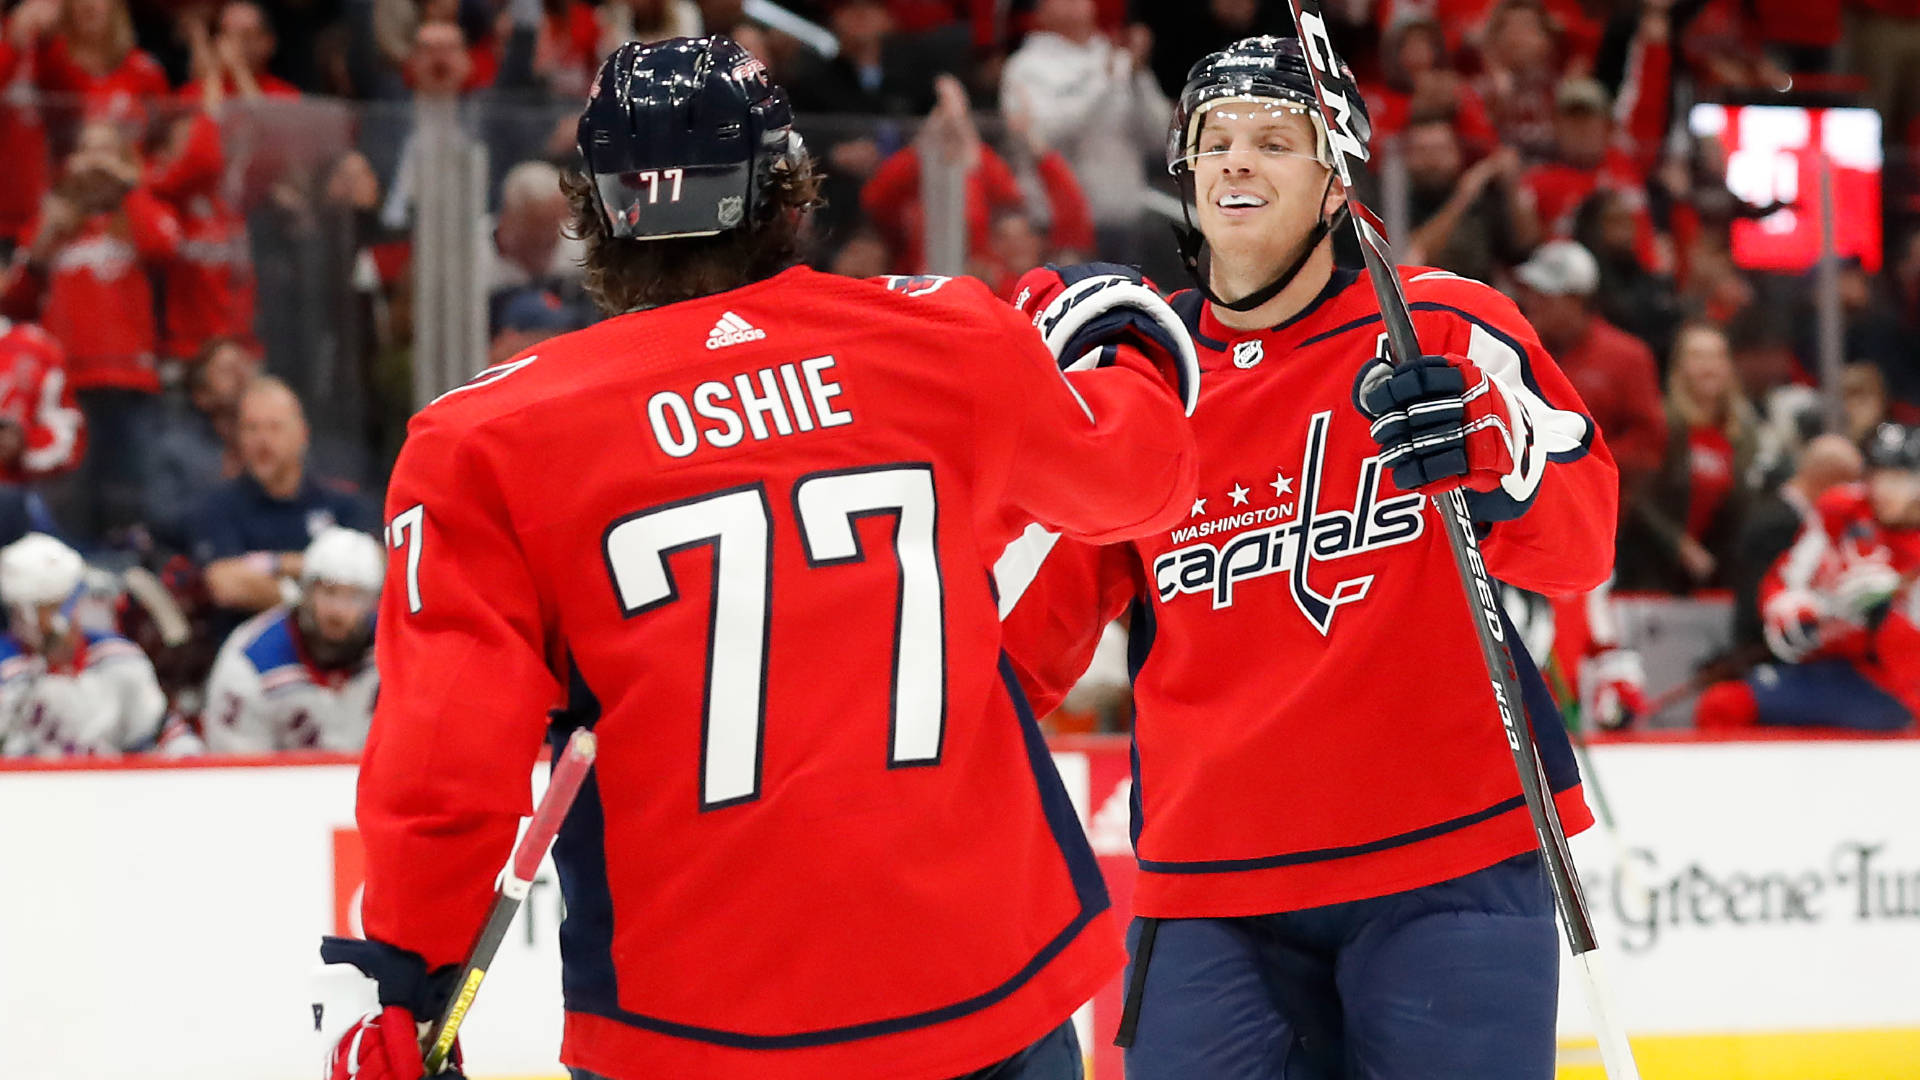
x=208, y=210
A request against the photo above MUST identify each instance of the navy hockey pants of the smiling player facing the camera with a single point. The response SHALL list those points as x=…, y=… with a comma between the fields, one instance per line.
x=1451, y=981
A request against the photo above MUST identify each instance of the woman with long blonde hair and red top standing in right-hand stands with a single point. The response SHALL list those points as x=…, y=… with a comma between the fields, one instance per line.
x=1681, y=537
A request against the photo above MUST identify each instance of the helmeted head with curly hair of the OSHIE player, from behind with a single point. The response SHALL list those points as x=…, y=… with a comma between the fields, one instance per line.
x=694, y=180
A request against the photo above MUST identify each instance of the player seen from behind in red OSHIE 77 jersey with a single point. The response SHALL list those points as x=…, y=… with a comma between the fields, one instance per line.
x=744, y=529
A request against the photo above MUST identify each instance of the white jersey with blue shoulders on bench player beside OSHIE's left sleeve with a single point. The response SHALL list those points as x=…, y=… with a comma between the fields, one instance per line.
x=266, y=695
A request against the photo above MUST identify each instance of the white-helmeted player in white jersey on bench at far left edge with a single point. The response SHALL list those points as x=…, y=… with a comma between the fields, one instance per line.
x=66, y=691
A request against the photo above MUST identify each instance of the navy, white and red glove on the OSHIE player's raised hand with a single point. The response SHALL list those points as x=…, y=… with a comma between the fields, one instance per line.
x=1084, y=312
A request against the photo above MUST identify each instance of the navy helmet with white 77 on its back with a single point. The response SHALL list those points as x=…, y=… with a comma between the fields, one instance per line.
x=681, y=139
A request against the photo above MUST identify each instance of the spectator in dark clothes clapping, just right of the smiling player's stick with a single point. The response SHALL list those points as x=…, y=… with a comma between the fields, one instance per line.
x=1466, y=218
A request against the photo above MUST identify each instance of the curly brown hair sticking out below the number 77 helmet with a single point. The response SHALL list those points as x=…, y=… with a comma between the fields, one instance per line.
x=627, y=276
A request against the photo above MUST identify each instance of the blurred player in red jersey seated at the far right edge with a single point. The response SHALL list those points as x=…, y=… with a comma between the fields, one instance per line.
x=1840, y=612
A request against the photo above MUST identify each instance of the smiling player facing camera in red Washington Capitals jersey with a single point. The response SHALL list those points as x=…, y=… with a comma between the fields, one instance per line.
x=1337, y=871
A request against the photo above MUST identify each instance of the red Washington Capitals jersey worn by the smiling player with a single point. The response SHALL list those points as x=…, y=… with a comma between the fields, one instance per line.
x=1312, y=714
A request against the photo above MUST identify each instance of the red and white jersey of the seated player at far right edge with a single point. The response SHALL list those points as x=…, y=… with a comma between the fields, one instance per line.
x=1846, y=533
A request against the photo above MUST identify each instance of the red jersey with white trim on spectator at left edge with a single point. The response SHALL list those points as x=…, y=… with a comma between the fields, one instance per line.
x=41, y=430
